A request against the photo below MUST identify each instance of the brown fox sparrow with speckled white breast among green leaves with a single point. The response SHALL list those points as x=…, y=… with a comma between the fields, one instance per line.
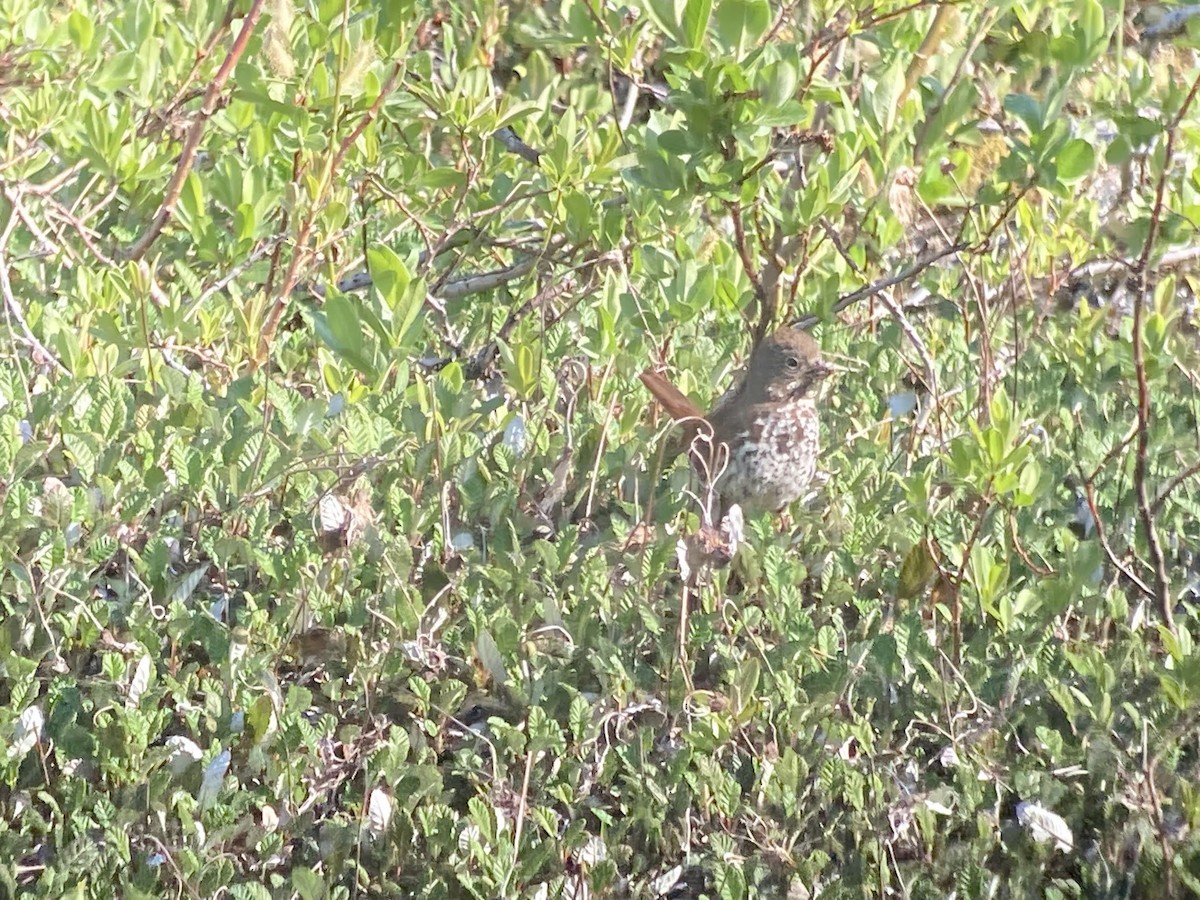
x=761, y=440
